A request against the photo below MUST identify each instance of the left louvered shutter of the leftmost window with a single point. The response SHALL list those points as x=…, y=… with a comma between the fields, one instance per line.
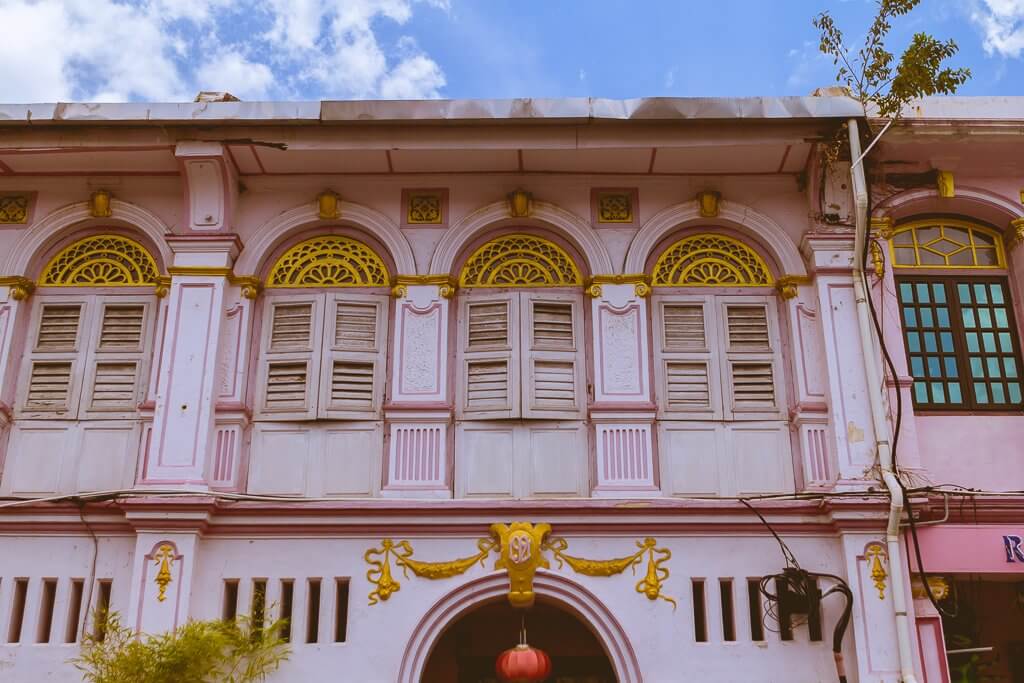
x=50, y=383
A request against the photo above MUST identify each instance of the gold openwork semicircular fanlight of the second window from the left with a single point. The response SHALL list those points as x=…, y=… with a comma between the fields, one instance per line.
x=331, y=261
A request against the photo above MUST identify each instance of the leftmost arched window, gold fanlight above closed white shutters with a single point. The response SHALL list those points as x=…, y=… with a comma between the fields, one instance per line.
x=92, y=331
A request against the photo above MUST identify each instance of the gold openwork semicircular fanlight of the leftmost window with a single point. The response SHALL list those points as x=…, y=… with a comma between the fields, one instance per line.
x=102, y=261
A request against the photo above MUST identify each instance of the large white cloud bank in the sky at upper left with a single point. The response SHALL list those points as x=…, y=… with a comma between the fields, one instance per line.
x=170, y=50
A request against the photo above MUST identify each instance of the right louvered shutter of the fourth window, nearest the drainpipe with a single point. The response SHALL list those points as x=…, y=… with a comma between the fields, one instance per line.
x=751, y=377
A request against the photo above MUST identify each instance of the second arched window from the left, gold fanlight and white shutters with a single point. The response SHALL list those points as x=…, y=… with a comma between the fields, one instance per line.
x=325, y=323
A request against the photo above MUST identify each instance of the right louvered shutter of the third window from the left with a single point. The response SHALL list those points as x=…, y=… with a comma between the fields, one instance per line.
x=552, y=356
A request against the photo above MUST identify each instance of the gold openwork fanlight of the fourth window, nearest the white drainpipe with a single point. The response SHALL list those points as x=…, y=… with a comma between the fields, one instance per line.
x=711, y=261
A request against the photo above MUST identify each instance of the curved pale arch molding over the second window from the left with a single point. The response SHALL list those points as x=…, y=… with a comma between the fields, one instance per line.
x=271, y=234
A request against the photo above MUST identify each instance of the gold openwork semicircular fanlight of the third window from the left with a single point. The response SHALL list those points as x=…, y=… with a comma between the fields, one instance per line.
x=521, y=261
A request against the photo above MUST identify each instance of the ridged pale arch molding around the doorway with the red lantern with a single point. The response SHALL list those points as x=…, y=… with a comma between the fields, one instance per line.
x=569, y=594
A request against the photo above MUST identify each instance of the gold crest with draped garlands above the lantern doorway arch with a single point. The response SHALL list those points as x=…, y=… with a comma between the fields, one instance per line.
x=522, y=548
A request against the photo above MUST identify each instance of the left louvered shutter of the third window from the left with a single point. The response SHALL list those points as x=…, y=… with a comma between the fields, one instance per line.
x=489, y=329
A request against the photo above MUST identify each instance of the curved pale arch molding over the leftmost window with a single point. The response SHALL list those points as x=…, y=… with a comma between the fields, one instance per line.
x=56, y=226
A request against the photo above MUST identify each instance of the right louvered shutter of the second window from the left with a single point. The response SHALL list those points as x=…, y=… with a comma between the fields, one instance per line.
x=353, y=369
